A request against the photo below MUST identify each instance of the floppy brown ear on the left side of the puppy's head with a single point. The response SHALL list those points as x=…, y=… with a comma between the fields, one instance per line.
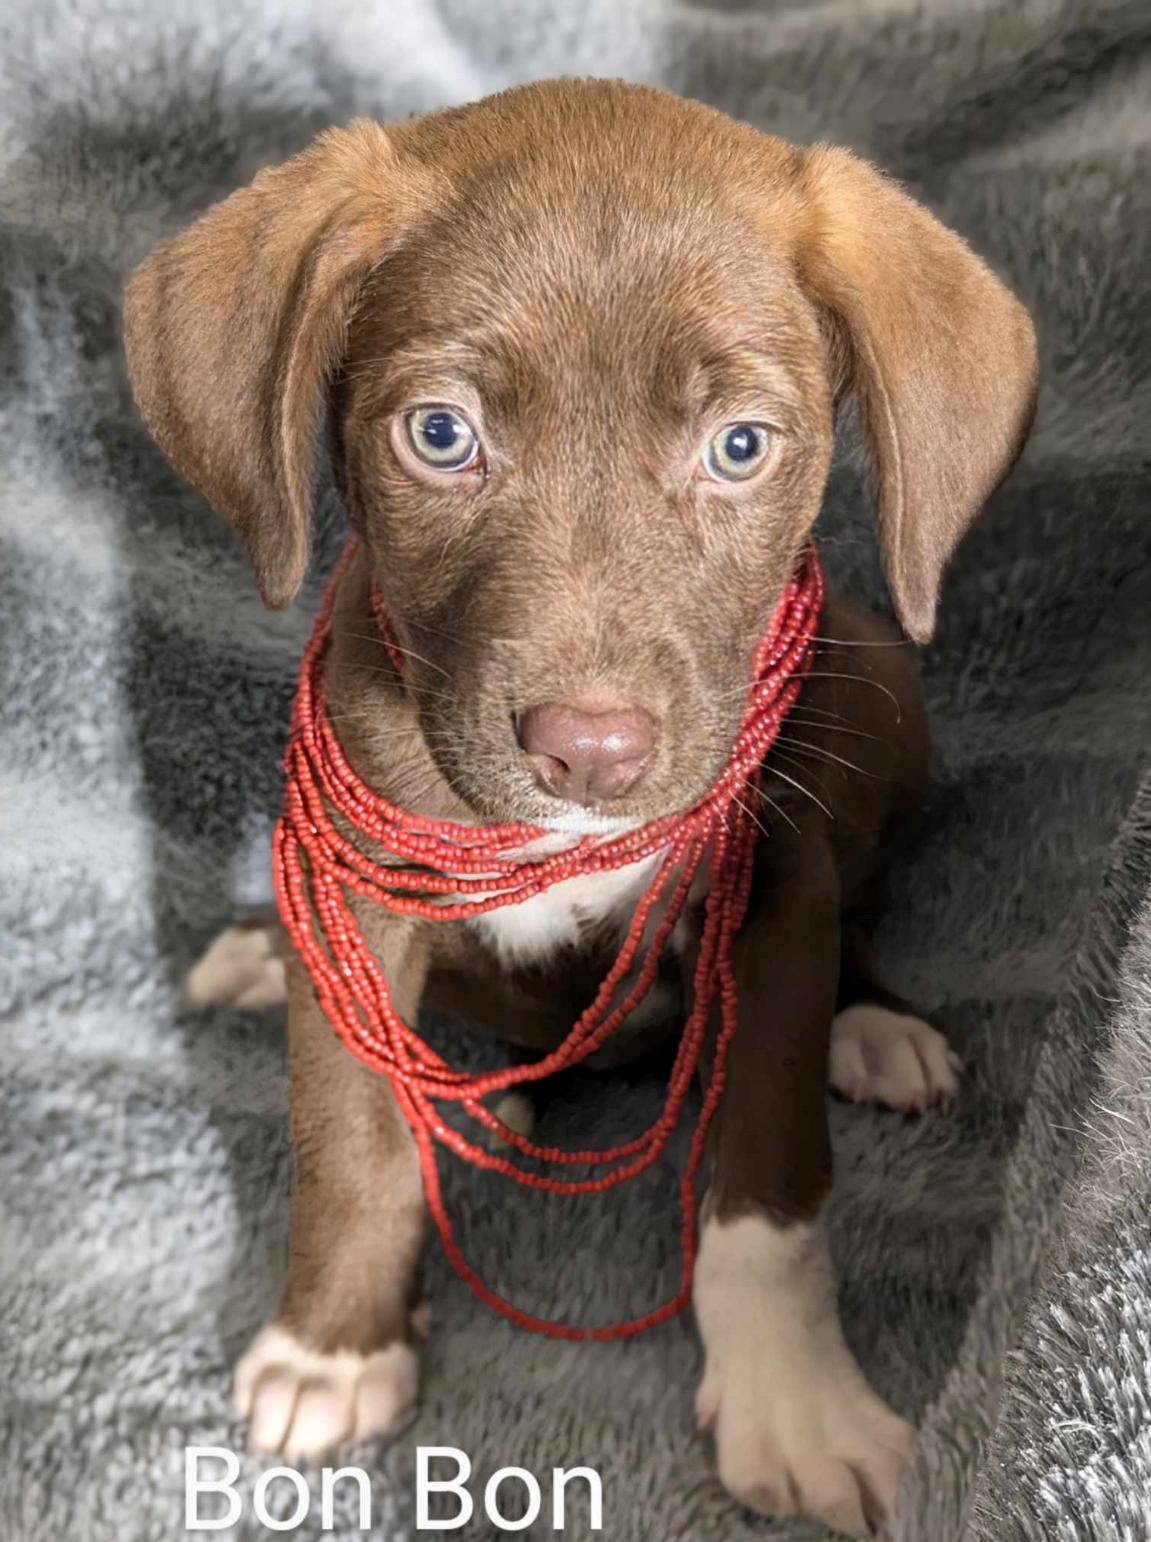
x=234, y=328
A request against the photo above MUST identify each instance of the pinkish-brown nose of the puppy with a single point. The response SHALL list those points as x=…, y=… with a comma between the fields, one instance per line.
x=584, y=756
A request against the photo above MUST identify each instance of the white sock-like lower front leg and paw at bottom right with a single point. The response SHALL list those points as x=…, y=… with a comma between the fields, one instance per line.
x=798, y=1430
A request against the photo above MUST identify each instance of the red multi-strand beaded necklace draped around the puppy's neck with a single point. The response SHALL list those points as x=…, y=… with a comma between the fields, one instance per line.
x=468, y=870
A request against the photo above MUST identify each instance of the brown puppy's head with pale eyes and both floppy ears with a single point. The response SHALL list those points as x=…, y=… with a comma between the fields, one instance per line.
x=581, y=348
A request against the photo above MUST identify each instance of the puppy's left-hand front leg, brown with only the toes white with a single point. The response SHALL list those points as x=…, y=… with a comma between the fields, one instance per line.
x=339, y=1361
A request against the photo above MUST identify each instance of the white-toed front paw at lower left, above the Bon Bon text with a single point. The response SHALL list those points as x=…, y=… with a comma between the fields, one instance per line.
x=305, y=1404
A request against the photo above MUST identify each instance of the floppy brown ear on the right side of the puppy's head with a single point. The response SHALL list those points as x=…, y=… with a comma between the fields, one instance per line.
x=940, y=357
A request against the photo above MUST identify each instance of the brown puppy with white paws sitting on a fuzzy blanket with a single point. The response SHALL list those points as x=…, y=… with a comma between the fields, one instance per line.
x=579, y=348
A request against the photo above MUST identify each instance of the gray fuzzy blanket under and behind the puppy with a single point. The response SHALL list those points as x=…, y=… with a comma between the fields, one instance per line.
x=144, y=702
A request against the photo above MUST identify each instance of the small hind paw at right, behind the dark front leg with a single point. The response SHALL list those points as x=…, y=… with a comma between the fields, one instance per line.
x=893, y=1059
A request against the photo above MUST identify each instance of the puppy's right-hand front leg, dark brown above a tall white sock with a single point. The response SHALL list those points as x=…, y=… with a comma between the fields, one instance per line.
x=798, y=1429
